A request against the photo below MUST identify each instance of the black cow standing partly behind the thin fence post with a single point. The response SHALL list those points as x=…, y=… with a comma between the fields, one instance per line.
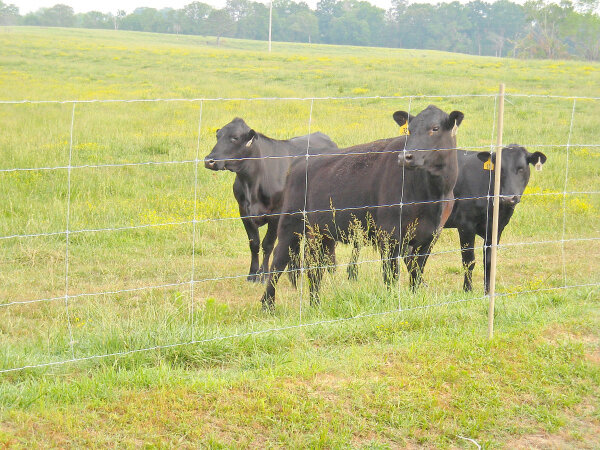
x=473, y=214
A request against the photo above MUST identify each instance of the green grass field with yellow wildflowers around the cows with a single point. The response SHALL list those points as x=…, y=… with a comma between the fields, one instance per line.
x=423, y=377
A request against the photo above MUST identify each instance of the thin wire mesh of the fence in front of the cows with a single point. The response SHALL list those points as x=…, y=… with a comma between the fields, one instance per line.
x=192, y=281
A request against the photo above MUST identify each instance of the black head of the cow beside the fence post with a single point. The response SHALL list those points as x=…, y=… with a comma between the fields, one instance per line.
x=515, y=171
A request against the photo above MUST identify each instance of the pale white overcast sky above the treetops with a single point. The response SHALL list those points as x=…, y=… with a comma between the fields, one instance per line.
x=105, y=6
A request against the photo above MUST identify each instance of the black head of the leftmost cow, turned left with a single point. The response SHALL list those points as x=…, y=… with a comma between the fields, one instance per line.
x=234, y=145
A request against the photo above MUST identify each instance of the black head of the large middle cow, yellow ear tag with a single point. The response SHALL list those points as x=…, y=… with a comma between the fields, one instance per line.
x=431, y=140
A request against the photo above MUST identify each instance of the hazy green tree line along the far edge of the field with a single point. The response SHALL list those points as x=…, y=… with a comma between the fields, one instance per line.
x=536, y=29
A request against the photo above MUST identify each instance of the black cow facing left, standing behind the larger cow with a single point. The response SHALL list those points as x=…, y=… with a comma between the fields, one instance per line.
x=261, y=165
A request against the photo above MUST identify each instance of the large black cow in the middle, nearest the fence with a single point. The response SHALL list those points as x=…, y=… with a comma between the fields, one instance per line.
x=364, y=188
